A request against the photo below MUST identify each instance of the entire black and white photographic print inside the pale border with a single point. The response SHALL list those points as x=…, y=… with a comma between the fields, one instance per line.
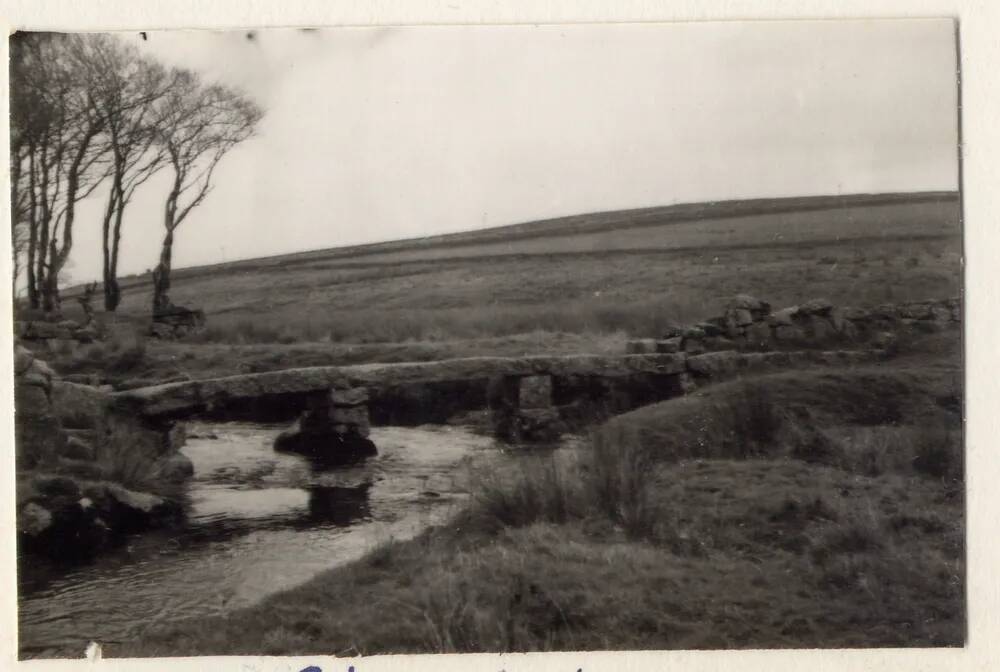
x=354, y=341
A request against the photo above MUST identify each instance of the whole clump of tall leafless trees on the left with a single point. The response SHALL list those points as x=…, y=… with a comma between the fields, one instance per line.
x=89, y=112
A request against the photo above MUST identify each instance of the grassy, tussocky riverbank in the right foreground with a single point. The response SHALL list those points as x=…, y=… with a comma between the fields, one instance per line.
x=819, y=508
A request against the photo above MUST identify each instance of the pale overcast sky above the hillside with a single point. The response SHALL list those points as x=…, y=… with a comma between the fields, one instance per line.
x=377, y=134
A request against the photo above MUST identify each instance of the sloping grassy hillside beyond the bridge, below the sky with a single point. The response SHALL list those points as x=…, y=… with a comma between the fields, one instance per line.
x=578, y=284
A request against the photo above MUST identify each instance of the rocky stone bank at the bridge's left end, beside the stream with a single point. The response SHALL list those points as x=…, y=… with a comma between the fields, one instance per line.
x=82, y=465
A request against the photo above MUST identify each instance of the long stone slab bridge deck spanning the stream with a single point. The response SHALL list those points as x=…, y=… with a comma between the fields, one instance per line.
x=528, y=398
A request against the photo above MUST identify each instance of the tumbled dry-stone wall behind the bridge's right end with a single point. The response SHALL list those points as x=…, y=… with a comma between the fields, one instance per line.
x=749, y=324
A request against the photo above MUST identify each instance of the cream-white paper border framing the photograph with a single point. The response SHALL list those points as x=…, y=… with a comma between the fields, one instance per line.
x=980, y=57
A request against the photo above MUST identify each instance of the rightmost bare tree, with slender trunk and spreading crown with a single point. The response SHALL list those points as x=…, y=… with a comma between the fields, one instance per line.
x=200, y=124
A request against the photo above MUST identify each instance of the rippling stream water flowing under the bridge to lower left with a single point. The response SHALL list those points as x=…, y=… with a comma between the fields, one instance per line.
x=259, y=522
